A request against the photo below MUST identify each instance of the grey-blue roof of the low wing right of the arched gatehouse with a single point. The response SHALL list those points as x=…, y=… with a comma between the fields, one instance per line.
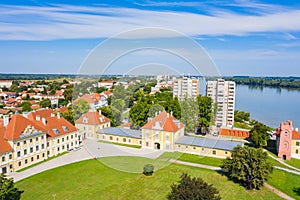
x=208, y=142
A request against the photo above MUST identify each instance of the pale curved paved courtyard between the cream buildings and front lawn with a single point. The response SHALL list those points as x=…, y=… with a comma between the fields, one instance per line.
x=90, y=149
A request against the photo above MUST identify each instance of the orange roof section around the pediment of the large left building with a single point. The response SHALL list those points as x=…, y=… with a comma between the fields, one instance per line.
x=18, y=125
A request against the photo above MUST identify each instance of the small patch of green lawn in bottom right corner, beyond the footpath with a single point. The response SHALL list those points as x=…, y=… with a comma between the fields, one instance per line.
x=285, y=182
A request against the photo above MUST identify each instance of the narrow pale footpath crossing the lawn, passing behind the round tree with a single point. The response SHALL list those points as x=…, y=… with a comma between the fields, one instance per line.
x=276, y=191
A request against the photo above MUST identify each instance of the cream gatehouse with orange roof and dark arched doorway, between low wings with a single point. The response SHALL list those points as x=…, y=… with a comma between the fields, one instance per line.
x=161, y=132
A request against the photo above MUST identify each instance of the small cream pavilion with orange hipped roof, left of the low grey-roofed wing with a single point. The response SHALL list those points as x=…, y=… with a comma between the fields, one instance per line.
x=90, y=122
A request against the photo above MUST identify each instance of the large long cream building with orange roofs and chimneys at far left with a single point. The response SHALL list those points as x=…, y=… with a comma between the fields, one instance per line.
x=26, y=140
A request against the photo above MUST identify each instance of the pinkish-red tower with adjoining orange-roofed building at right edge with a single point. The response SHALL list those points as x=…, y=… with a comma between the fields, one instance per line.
x=287, y=141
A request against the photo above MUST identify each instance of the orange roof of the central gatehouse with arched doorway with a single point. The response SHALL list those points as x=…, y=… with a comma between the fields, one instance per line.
x=164, y=121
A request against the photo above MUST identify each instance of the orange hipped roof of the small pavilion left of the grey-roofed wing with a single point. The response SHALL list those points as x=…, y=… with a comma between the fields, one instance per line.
x=92, y=118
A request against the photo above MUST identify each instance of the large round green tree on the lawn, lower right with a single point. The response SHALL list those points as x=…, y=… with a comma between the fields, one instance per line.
x=248, y=166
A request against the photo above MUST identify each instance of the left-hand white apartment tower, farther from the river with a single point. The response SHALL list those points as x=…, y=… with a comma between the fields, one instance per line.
x=185, y=87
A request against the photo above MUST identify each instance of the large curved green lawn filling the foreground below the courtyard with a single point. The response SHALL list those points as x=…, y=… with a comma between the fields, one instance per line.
x=92, y=179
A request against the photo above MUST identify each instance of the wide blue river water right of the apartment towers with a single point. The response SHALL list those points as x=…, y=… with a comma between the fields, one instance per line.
x=269, y=105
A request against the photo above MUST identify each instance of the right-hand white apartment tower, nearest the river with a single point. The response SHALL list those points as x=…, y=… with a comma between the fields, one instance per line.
x=223, y=94
